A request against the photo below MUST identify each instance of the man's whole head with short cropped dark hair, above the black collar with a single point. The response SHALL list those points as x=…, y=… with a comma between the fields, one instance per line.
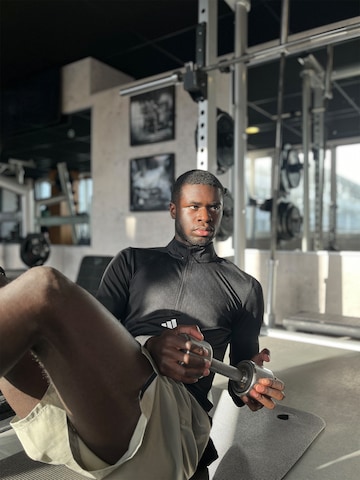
x=197, y=206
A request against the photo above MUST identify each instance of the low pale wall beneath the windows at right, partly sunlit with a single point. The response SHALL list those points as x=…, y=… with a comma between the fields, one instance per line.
x=321, y=282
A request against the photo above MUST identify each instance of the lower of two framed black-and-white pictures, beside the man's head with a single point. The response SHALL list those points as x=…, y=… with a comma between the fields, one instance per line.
x=151, y=180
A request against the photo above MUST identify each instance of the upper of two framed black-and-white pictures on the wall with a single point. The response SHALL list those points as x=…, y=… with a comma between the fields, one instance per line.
x=152, y=116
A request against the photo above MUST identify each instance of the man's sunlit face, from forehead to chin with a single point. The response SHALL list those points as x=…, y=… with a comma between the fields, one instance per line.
x=197, y=214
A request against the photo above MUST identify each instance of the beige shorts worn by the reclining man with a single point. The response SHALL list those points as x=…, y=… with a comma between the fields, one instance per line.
x=167, y=443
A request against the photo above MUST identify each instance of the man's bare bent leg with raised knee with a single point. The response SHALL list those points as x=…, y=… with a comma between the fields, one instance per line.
x=95, y=364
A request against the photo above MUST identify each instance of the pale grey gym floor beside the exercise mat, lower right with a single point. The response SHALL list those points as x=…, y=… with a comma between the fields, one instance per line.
x=319, y=380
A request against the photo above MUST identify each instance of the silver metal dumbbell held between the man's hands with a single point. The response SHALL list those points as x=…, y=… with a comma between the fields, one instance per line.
x=245, y=374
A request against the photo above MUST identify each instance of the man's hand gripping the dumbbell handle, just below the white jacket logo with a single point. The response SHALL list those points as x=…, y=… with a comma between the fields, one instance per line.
x=171, y=353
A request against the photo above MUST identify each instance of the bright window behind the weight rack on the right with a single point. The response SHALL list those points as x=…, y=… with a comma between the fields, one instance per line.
x=347, y=211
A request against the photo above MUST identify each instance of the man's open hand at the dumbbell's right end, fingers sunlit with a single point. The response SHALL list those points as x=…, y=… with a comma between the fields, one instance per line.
x=267, y=390
